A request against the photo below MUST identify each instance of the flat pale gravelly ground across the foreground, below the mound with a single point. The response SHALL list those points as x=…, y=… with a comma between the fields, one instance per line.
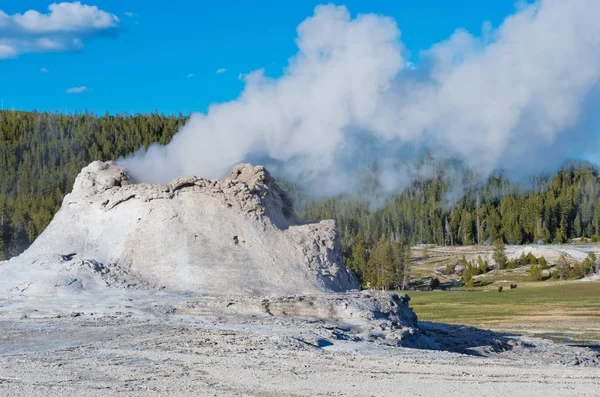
x=156, y=354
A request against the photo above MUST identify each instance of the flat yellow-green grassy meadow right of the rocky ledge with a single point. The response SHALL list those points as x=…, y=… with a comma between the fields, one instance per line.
x=569, y=309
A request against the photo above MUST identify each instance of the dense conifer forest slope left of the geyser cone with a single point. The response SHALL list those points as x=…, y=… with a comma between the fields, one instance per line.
x=42, y=153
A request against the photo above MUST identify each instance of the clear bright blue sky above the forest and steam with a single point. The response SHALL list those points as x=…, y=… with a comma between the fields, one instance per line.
x=146, y=62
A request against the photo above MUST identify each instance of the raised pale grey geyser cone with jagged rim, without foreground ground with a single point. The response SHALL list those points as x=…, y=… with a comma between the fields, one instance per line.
x=236, y=236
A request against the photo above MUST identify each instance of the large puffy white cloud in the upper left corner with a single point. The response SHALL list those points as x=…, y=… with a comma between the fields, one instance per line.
x=63, y=28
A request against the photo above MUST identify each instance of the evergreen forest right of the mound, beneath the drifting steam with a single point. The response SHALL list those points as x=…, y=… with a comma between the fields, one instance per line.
x=554, y=209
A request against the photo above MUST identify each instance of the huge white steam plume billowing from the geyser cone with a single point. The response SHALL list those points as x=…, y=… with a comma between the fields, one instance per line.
x=516, y=97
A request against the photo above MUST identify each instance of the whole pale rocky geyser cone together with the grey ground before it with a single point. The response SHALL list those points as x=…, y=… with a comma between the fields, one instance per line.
x=122, y=295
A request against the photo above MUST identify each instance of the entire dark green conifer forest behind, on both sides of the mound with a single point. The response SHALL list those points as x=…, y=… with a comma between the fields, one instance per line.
x=42, y=153
